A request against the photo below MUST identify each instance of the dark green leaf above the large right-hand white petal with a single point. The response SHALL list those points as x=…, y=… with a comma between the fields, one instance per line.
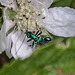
x=61, y=3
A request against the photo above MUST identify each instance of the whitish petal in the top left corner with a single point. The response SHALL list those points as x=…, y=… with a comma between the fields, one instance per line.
x=9, y=3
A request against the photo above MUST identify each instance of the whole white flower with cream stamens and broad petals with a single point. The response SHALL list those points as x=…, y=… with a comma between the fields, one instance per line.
x=33, y=15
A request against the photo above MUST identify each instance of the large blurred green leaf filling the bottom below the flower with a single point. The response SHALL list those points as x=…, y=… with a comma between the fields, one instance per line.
x=52, y=59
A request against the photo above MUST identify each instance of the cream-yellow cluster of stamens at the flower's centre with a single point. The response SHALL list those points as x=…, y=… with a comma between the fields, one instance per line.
x=27, y=16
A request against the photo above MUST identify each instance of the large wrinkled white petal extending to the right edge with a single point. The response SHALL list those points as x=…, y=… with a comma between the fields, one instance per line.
x=61, y=21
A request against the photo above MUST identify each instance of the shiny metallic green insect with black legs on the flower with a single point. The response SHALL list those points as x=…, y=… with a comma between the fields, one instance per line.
x=37, y=40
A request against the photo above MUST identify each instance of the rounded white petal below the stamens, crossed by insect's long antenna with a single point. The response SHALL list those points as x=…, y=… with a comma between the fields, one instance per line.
x=20, y=49
